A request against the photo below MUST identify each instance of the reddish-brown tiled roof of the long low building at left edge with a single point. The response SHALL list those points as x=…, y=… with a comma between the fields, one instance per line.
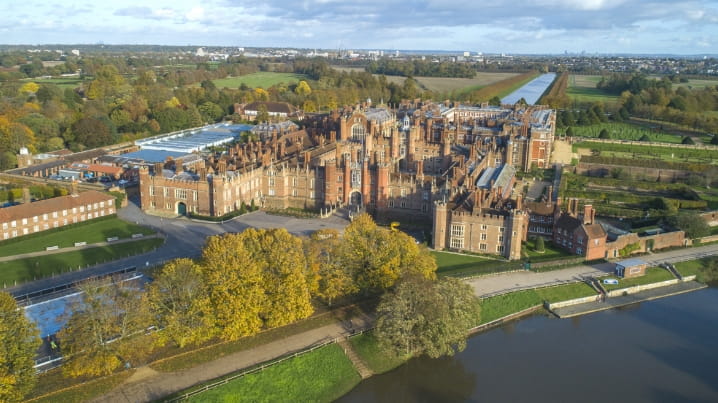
x=41, y=207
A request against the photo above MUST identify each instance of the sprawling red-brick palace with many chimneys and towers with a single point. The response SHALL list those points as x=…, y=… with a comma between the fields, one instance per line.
x=451, y=165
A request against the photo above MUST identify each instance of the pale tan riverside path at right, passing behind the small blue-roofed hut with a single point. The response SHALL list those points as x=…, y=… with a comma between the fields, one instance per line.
x=503, y=283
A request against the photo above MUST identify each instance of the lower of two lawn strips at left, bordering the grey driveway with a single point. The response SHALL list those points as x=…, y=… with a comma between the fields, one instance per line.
x=33, y=268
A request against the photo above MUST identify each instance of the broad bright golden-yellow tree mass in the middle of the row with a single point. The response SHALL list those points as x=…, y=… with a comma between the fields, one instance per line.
x=256, y=278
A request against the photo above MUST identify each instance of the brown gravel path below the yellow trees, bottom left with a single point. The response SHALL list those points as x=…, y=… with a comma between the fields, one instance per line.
x=153, y=385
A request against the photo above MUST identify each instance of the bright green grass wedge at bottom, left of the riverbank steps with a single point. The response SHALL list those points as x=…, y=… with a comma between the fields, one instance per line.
x=320, y=376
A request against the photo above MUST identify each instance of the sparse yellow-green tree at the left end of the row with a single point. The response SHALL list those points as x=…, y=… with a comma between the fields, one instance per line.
x=106, y=329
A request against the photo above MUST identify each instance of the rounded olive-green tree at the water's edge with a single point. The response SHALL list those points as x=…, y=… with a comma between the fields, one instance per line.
x=426, y=317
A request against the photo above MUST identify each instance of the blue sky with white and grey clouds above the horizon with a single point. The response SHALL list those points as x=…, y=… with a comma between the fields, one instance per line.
x=493, y=26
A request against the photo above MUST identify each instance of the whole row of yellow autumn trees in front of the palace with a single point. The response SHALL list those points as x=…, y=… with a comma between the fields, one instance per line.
x=244, y=283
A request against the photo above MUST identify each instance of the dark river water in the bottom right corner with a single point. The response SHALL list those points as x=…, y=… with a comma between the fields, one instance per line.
x=658, y=351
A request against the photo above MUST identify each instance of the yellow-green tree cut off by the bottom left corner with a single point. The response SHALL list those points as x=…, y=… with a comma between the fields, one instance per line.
x=18, y=345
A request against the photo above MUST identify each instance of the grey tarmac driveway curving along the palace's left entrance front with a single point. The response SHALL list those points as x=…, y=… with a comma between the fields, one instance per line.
x=183, y=238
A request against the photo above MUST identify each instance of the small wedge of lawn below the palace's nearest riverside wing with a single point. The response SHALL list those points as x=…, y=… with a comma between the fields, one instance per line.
x=456, y=265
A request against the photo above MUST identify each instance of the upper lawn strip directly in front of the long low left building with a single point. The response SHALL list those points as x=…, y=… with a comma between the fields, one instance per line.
x=92, y=231
